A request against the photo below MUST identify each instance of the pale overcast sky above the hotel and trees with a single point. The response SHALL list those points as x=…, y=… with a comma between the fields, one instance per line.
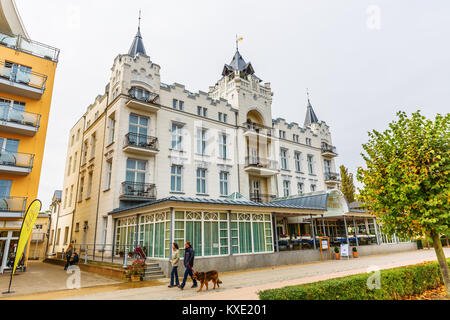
x=361, y=60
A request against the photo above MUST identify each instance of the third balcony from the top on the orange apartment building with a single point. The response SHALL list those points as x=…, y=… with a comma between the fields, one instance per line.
x=16, y=162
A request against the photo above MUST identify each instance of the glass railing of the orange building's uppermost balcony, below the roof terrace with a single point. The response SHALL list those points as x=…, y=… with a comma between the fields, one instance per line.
x=22, y=75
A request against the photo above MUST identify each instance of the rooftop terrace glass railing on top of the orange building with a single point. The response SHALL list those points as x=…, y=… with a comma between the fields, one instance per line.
x=29, y=46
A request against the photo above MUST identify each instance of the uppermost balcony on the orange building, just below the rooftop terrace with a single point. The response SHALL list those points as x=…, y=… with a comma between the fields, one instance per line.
x=19, y=80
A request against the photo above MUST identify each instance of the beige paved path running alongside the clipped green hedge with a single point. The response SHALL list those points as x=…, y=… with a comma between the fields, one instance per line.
x=245, y=284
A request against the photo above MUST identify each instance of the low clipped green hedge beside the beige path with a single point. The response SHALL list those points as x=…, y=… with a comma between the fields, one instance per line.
x=395, y=283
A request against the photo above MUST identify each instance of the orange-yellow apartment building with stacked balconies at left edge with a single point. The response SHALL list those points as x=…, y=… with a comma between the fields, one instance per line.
x=27, y=71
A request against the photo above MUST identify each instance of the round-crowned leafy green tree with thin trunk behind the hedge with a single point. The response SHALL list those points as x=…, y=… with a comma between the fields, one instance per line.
x=406, y=183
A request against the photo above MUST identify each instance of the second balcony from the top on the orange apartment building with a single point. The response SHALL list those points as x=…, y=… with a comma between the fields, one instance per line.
x=17, y=121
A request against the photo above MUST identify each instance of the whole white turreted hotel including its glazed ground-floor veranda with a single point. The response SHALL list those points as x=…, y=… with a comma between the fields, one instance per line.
x=151, y=163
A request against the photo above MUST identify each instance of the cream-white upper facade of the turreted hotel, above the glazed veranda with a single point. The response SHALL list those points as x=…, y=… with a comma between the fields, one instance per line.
x=233, y=146
